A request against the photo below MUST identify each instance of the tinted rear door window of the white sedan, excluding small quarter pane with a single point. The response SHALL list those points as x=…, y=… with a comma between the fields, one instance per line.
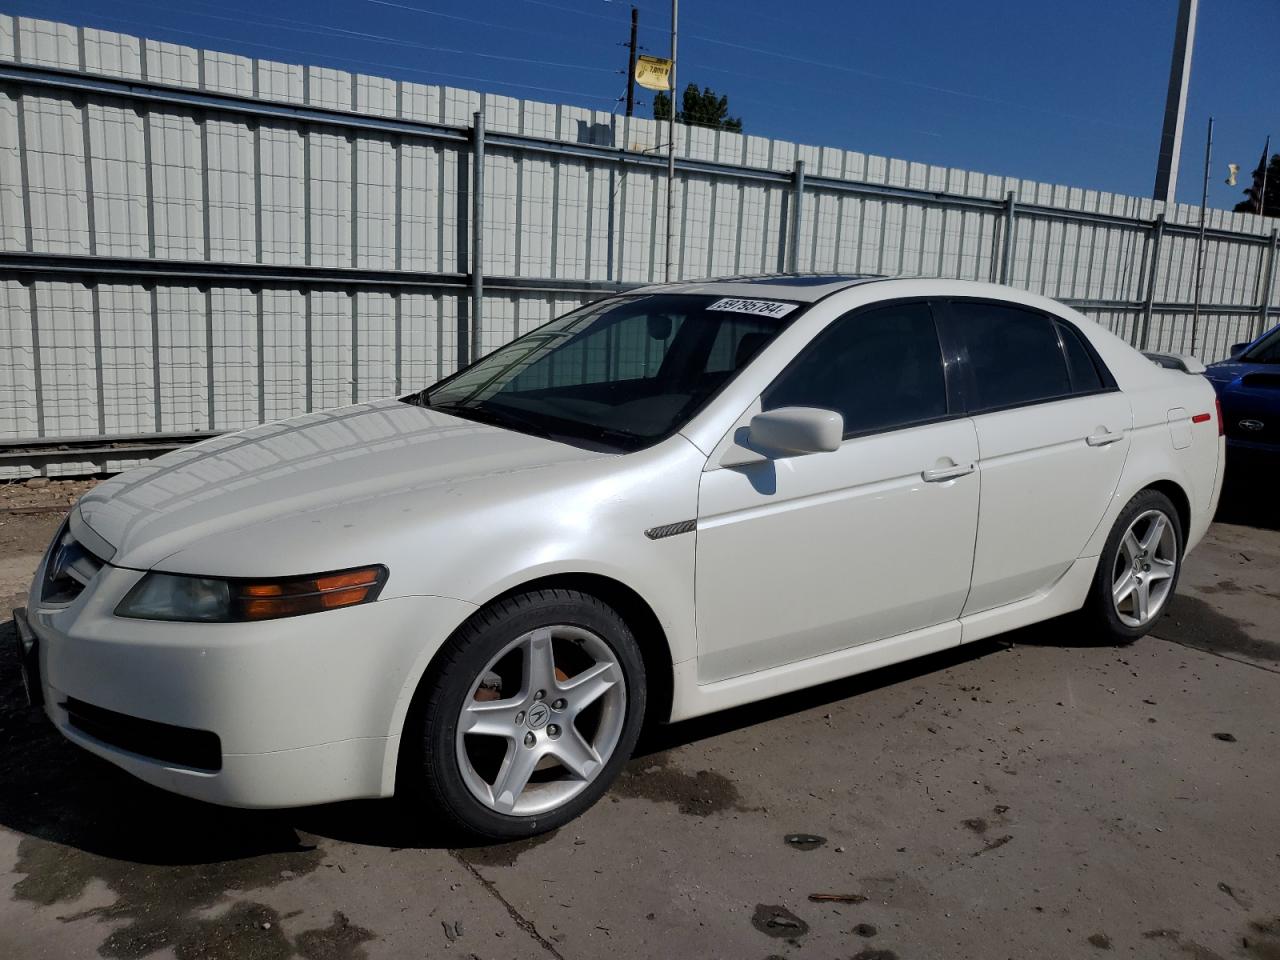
x=1014, y=355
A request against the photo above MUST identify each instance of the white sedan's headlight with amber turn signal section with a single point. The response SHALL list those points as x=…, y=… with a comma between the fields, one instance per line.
x=216, y=601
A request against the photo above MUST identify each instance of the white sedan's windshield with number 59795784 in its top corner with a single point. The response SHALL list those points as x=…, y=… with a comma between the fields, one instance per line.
x=620, y=374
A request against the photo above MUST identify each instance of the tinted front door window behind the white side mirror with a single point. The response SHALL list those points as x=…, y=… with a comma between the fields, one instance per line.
x=880, y=368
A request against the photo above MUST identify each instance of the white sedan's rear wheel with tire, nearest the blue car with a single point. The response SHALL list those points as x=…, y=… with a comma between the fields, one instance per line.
x=1139, y=569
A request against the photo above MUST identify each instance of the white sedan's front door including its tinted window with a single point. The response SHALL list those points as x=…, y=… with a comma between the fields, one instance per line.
x=804, y=556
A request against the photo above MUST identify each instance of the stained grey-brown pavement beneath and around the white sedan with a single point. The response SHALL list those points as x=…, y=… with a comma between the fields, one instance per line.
x=1037, y=796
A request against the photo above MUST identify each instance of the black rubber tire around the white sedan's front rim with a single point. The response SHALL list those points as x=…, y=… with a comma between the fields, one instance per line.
x=431, y=770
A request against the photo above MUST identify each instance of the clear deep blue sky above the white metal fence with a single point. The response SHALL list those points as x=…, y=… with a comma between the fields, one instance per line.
x=1066, y=93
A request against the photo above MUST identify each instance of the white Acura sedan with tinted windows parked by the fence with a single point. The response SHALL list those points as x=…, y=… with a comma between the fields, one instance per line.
x=662, y=505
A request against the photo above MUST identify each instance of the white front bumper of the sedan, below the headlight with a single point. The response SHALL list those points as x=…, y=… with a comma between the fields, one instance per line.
x=305, y=710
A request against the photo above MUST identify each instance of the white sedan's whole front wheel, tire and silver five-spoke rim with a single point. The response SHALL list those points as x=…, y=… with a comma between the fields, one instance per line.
x=532, y=710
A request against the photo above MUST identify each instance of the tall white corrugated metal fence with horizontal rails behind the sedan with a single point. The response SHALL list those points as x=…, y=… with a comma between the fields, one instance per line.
x=194, y=243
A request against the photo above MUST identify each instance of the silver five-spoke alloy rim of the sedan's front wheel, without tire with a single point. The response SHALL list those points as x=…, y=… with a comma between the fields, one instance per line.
x=550, y=757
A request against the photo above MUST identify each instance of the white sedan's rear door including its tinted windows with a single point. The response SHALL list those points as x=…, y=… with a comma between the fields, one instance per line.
x=1053, y=437
